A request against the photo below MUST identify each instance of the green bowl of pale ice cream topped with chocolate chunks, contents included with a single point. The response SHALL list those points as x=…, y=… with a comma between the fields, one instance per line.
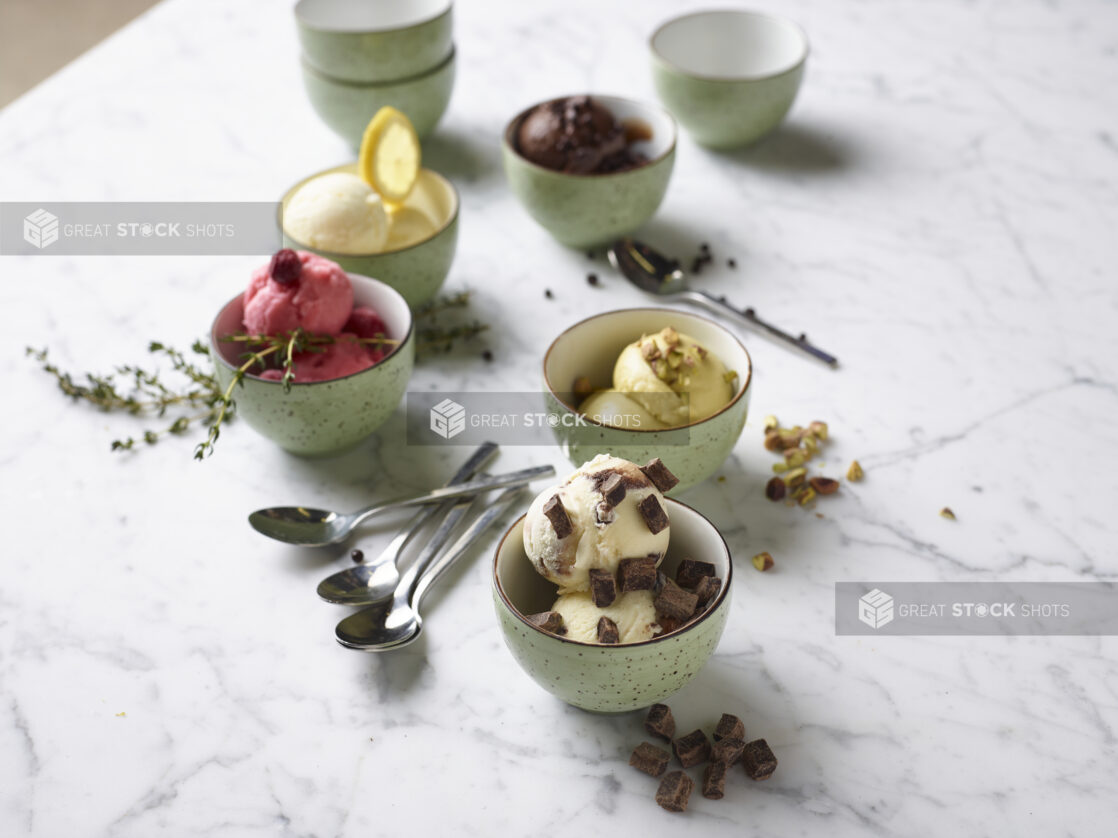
x=611, y=596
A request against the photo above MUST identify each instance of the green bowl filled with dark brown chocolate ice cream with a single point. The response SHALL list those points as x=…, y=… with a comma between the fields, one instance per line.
x=590, y=169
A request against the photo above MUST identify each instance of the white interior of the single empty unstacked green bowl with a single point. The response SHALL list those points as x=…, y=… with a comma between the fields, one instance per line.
x=731, y=45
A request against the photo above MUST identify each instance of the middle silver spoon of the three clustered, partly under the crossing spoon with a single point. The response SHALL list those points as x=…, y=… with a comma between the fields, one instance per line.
x=369, y=584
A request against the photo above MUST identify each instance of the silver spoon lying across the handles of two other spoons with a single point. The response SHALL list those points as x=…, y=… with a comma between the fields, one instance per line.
x=320, y=528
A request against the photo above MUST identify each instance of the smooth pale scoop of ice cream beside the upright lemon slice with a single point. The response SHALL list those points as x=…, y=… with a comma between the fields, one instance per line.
x=338, y=213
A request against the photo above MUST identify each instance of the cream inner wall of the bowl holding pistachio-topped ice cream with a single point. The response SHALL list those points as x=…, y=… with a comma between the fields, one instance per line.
x=591, y=348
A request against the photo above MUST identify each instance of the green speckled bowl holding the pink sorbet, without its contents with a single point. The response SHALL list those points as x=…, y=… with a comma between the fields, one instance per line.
x=320, y=418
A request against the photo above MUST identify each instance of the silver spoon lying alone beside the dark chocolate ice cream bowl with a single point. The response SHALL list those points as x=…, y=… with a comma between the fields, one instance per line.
x=655, y=273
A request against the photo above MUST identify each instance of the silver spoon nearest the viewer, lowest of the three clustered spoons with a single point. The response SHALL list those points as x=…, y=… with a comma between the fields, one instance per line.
x=396, y=624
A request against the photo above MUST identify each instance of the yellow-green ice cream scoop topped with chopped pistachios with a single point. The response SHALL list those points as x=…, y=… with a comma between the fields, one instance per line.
x=659, y=370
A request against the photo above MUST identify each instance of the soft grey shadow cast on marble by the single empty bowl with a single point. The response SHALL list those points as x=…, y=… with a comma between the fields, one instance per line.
x=797, y=148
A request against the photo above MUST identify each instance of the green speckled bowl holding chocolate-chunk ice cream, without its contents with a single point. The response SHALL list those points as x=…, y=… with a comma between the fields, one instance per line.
x=611, y=679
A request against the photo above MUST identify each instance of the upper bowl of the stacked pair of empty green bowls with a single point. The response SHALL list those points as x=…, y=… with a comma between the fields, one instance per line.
x=375, y=42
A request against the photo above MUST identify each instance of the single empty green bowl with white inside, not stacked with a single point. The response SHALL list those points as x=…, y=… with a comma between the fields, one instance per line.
x=729, y=78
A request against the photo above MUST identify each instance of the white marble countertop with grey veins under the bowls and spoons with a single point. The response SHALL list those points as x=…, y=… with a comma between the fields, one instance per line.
x=940, y=211
